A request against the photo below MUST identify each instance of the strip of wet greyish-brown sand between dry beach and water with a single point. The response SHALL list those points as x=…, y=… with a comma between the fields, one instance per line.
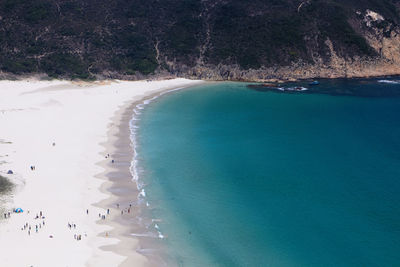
x=124, y=190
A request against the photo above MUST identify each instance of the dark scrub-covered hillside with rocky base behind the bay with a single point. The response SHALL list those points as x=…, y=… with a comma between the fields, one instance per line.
x=209, y=39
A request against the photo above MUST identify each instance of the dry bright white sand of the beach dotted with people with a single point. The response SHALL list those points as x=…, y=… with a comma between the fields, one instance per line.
x=33, y=115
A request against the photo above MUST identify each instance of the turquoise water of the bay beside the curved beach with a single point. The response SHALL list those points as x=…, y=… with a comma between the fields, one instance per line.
x=239, y=177
